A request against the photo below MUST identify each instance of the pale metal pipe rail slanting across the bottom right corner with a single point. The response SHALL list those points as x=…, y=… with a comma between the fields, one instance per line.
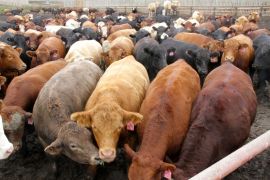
x=236, y=159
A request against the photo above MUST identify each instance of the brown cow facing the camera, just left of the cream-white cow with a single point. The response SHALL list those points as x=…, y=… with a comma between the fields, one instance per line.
x=50, y=49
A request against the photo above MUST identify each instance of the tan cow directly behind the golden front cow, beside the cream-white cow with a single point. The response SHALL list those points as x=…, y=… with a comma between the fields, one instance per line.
x=119, y=49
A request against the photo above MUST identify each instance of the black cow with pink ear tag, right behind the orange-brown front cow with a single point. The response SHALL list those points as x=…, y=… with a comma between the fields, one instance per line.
x=197, y=57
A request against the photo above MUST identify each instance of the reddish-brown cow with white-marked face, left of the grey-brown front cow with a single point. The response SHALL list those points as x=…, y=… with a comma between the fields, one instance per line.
x=20, y=97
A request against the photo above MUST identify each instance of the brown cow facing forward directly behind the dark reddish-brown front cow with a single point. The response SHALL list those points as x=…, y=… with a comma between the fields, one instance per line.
x=239, y=50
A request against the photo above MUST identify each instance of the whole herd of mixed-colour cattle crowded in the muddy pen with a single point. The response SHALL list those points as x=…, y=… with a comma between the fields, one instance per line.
x=175, y=94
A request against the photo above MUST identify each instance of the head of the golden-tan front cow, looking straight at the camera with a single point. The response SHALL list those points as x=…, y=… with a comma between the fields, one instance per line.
x=107, y=121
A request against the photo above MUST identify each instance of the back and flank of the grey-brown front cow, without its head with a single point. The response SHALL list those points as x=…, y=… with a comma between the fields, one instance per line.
x=66, y=92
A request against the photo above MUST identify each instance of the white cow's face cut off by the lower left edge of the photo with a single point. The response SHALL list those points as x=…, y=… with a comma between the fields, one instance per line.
x=6, y=148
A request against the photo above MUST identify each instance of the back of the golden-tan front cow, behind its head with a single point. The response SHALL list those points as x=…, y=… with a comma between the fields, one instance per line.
x=127, y=79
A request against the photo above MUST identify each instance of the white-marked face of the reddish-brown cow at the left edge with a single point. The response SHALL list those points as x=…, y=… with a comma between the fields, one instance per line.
x=14, y=118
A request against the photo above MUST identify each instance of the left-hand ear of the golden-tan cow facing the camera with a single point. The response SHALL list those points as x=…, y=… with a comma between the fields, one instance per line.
x=82, y=118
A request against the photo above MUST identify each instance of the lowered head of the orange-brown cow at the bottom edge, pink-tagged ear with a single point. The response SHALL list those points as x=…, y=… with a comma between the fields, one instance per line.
x=146, y=167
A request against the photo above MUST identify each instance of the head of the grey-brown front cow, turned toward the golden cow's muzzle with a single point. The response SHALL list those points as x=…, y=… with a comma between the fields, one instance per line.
x=76, y=143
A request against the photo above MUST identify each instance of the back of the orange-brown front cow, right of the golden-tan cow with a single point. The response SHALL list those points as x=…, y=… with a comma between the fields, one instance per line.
x=170, y=97
